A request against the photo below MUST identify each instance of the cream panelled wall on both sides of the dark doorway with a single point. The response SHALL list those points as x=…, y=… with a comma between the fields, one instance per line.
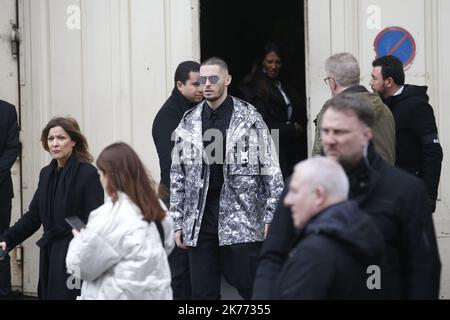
x=110, y=64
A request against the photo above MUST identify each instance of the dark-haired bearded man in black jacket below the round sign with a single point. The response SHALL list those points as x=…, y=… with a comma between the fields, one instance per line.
x=418, y=149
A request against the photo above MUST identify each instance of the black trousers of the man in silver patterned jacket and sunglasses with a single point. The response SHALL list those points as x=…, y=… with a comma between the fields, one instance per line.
x=209, y=261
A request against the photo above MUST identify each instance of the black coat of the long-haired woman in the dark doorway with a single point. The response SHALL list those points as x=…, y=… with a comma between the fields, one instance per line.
x=273, y=108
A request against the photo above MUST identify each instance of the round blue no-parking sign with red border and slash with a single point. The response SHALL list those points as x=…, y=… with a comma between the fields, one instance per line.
x=397, y=42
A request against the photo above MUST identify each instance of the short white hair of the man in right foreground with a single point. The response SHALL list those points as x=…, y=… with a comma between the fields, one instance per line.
x=325, y=172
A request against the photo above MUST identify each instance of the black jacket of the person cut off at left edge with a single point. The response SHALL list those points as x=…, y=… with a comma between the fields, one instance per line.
x=9, y=148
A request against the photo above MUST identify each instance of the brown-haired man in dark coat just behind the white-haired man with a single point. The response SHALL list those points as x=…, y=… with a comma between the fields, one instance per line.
x=396, y=201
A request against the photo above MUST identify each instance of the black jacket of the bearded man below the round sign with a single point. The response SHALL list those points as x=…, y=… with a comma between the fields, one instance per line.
x=418, y=149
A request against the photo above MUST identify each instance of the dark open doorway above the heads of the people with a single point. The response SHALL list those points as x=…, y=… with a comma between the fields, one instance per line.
x=235, y=30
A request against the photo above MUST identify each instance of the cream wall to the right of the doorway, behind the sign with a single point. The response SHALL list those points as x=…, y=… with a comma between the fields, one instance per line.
x=352, y=26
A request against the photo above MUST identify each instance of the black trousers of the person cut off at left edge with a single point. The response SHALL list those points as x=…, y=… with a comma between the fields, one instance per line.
x=5, y=267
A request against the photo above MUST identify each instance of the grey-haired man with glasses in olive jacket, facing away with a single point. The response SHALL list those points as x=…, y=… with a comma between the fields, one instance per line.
x=343, y=75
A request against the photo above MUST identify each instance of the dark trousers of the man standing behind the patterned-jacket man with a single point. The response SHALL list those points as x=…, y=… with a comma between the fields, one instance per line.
x=181, y=277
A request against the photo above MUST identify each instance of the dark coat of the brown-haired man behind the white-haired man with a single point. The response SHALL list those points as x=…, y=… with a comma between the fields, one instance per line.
x=397, y=201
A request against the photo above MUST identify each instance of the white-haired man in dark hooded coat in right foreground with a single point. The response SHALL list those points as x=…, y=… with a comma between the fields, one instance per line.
x=337, y=242
